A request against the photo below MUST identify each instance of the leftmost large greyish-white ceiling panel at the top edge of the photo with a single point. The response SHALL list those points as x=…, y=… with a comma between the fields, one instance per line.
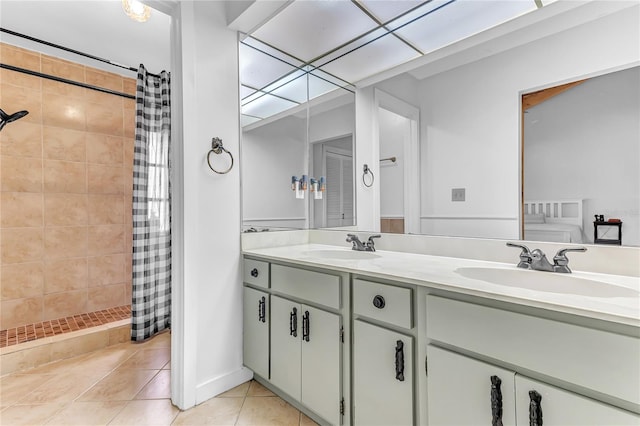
x=309, y=29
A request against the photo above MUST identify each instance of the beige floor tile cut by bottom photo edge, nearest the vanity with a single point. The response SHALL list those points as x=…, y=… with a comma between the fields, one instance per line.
x=266, y=411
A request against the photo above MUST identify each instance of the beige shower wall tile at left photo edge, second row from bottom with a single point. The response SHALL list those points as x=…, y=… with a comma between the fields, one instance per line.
x=22, y=280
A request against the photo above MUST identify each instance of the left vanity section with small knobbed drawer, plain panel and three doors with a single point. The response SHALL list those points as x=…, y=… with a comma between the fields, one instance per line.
x=298, y=349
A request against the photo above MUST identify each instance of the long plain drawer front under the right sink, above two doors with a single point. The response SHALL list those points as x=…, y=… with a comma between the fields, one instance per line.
x=603, y=361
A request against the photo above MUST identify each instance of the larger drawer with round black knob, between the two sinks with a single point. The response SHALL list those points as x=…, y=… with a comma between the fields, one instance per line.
x=383, y=302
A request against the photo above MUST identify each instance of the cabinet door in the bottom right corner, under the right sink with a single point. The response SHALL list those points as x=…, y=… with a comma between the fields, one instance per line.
x=563, y=408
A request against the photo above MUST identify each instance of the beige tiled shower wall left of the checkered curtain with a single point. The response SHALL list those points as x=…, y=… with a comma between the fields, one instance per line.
x=65, y=179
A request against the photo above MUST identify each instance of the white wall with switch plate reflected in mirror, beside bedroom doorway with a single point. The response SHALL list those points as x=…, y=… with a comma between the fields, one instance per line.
x=470, y=133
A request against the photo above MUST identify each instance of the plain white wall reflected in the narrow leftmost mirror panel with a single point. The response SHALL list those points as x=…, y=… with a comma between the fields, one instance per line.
x=271, y=154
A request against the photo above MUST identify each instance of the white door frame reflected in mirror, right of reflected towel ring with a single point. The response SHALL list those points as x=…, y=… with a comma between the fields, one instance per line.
x=411, y=155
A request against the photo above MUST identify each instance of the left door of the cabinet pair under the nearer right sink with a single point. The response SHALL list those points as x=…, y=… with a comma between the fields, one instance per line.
x=464, y=391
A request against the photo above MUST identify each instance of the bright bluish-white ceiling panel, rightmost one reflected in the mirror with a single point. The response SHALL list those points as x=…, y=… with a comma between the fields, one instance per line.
x=453, y=21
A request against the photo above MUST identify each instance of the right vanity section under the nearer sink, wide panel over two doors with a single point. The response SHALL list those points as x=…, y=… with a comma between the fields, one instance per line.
x=588, y=365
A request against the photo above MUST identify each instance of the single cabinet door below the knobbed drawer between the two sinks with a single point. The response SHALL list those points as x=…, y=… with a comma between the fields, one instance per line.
x=382, y=376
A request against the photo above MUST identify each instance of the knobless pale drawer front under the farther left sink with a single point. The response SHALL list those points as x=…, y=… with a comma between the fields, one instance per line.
x=312, y=286
